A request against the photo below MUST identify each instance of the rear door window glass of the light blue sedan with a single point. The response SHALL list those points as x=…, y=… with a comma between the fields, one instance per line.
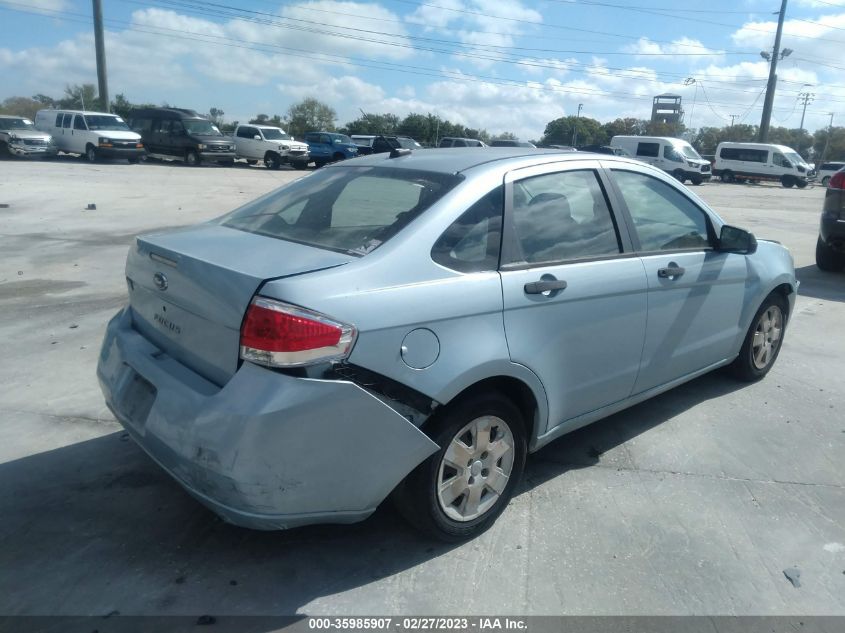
x=563, y=216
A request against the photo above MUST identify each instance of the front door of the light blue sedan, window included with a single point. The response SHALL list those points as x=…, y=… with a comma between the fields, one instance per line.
x=695, y=293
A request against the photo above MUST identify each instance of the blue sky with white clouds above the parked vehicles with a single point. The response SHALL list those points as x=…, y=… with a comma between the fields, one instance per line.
x=503, y=66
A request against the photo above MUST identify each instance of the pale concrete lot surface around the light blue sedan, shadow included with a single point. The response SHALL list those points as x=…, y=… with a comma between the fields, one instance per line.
x=693, y=503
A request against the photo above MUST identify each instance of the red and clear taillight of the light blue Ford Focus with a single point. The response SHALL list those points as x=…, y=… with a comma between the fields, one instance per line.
x=277, y=334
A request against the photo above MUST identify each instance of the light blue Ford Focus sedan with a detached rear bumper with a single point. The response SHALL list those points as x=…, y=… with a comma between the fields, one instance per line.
x=394, y=323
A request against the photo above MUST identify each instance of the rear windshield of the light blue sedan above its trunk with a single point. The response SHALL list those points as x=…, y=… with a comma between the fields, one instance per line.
x=348, y=209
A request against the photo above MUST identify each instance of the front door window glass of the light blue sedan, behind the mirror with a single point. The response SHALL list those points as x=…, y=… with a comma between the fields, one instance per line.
x=664, y=218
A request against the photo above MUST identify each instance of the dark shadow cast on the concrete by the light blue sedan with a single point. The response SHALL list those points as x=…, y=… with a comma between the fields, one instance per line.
x=97, y=527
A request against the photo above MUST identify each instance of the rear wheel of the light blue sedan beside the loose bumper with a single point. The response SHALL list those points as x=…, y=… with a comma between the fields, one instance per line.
x=458, y=492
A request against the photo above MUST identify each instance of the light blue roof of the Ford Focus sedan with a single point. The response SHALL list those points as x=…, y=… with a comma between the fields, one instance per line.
x=448, y=161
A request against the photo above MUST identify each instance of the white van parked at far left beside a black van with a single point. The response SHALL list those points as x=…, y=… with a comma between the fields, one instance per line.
x=91, y=134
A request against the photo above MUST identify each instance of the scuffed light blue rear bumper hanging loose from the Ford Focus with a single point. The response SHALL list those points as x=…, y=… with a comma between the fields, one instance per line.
x=266, y=451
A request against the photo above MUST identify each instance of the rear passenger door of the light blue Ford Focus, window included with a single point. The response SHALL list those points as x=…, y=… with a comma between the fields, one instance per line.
x=574, y=294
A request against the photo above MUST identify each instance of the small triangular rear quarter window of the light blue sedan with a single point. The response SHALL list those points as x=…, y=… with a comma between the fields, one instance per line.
x=472, y=242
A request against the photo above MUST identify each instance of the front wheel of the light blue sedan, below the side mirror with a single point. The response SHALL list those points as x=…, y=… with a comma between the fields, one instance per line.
x=763, y=341
